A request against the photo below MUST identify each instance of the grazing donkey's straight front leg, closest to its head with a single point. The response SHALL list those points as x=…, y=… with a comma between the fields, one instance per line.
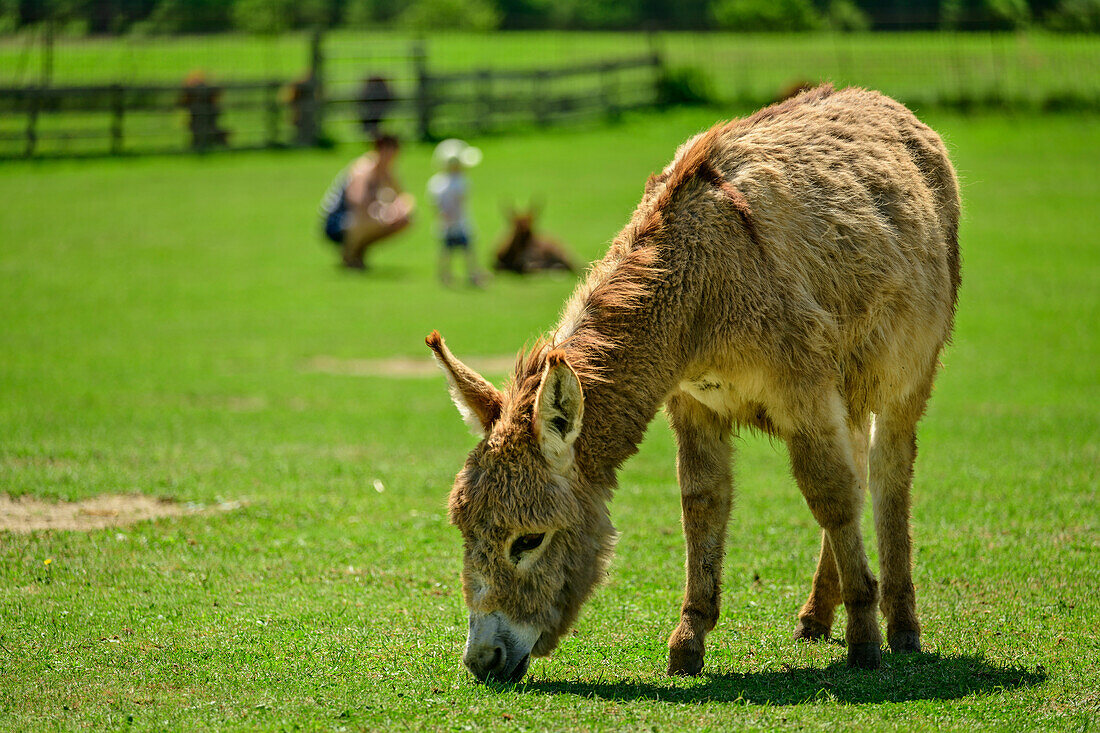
x=706, y=489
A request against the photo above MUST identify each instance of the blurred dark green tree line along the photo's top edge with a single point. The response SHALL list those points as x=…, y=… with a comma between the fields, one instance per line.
x=152, y=17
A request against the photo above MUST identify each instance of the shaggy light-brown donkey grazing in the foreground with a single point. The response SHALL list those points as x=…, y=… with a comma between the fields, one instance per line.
x=794, y=272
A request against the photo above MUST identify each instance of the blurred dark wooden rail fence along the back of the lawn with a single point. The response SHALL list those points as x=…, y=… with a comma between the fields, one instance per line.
x=200, y=116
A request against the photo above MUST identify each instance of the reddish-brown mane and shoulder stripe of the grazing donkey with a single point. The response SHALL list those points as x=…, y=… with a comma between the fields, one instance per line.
x=620, y=281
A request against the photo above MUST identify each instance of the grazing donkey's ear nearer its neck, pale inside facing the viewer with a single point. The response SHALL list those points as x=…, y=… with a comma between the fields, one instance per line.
x=559, y=407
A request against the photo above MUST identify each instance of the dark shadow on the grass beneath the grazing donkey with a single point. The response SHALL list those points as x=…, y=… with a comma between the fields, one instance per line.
x=900, y=680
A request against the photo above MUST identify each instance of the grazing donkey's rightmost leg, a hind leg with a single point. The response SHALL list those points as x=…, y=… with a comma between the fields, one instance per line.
x=894, y=451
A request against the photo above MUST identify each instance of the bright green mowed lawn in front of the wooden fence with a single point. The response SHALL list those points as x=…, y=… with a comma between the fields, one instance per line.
x=174, y=327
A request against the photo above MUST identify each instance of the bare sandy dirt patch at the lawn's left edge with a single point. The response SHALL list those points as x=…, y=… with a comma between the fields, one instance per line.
x=24, y=515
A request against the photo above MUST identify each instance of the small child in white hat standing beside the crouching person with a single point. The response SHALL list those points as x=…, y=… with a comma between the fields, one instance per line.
x=448, y=189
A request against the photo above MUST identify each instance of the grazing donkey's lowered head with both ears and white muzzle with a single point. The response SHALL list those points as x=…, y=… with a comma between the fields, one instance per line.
x=536, y=541
